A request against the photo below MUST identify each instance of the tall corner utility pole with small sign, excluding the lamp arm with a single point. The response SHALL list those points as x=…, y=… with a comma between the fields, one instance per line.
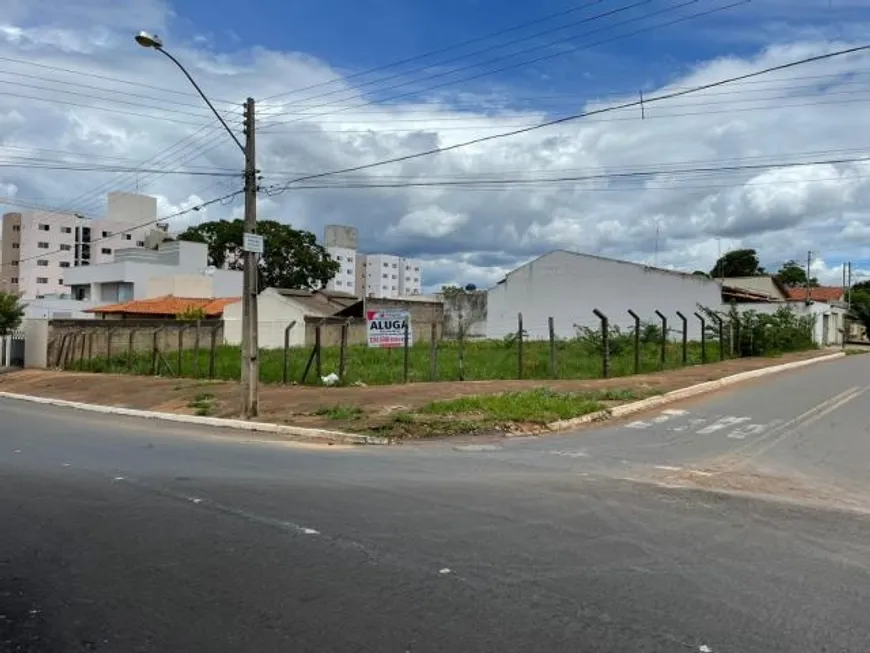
x=250, y=345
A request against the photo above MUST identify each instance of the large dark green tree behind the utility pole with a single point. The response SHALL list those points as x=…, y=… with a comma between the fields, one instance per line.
x=291, y=259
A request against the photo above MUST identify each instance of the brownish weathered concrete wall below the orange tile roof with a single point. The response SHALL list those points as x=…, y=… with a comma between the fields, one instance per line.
x=96, y=336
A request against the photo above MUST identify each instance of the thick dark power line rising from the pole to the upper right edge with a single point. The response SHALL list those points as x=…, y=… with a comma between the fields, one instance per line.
x=570, y=118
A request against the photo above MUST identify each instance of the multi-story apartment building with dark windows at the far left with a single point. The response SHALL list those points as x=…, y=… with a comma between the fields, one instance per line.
x=39, y=246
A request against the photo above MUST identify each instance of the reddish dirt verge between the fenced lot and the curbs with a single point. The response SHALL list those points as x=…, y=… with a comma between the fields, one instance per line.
x=358, y=409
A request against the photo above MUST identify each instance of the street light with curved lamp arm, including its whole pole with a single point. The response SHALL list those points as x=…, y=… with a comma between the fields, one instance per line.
x=251, y=246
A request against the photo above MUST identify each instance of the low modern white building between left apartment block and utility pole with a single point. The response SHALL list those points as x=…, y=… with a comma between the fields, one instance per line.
x=176, y=268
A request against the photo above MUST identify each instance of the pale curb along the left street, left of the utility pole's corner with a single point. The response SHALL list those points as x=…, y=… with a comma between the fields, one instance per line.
x=321, y=435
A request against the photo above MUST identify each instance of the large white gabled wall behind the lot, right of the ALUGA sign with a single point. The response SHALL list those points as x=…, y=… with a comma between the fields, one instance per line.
x=568, y=286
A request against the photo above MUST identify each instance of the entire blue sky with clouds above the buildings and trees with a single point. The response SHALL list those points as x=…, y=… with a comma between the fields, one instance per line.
x=779, y=163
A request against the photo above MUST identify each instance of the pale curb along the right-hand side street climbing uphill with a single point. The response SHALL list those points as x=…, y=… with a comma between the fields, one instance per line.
x=684, y=393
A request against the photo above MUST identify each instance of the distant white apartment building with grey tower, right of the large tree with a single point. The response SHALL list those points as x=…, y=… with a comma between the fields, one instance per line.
x=370, y=275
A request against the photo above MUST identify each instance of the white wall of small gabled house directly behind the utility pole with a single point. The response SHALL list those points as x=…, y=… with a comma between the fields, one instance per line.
x=274, y=314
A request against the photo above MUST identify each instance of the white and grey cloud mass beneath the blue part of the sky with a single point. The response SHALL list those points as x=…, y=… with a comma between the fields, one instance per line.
x=466, y=234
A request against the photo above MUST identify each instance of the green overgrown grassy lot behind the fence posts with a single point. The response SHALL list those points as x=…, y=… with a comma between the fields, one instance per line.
x=480, y=360
